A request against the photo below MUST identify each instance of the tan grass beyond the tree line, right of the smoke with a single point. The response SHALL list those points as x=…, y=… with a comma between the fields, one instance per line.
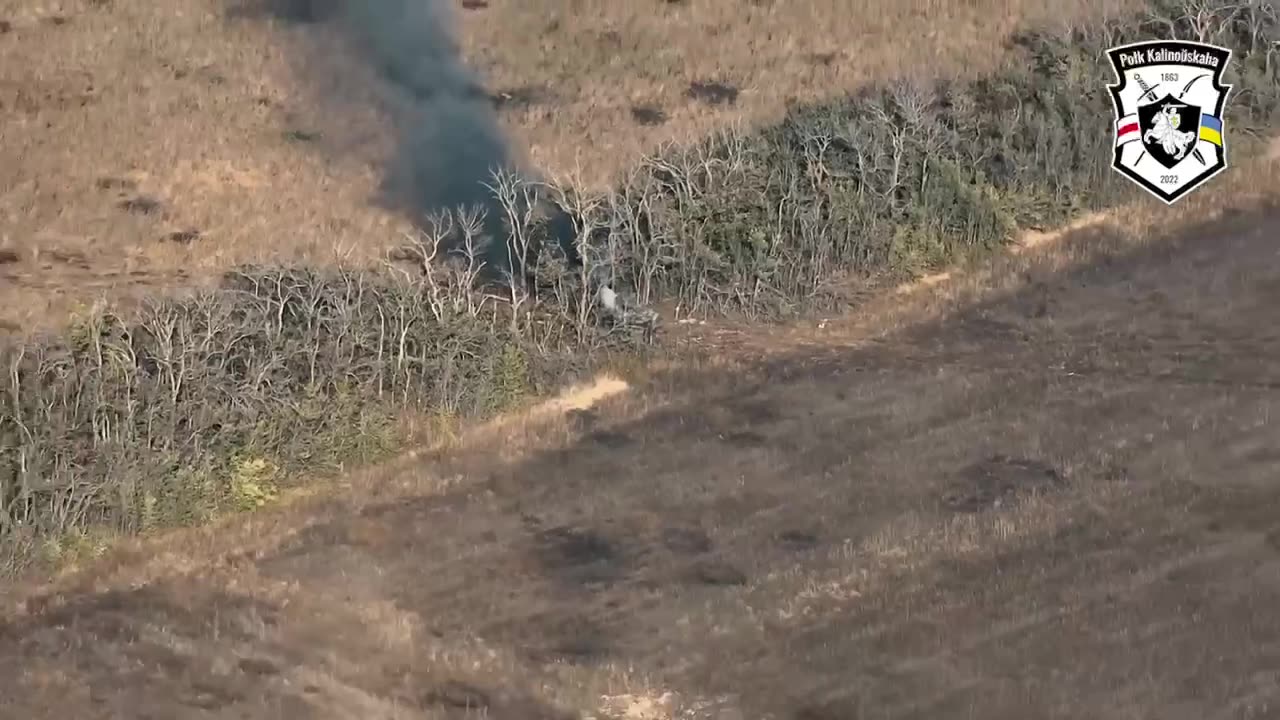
x=602, y=58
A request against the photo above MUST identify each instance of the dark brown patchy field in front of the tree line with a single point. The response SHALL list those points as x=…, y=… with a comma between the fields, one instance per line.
x=1062, y=503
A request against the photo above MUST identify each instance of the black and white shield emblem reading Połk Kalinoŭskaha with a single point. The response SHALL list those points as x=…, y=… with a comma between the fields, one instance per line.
x=1169, y=102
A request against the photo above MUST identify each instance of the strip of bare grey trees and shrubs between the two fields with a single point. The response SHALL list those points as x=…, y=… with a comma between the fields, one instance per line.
x=209, y=404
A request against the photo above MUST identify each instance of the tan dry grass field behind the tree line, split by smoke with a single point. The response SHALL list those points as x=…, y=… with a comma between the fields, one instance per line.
x=148, y=149
